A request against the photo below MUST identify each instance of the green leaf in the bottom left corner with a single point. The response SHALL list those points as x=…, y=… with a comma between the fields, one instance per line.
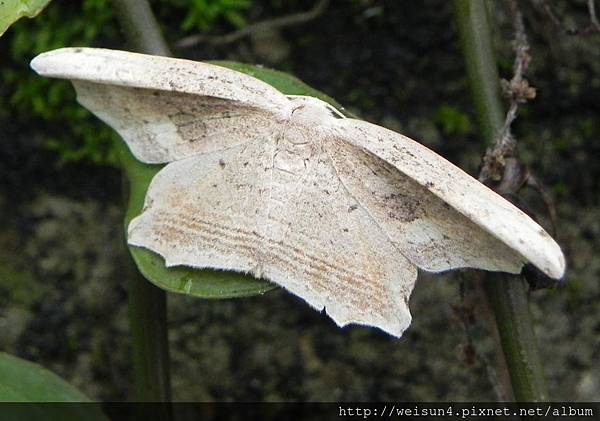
x=23, y=381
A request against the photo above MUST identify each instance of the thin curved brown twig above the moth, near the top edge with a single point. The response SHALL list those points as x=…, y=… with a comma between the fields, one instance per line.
x=276, y=23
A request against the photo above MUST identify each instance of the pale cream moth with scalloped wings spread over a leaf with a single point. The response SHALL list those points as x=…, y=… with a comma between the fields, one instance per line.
x=338, y=211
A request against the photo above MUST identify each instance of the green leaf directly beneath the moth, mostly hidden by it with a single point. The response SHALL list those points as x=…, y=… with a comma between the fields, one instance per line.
x=186, y=280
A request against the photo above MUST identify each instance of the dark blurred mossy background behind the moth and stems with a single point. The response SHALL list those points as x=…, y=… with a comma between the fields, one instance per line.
x=62, y=296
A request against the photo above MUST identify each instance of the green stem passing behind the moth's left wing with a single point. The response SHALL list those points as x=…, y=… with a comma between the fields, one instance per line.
x=147, y=303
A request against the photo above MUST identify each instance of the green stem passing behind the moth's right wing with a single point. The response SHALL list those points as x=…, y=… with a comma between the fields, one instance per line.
x=506, y=294
